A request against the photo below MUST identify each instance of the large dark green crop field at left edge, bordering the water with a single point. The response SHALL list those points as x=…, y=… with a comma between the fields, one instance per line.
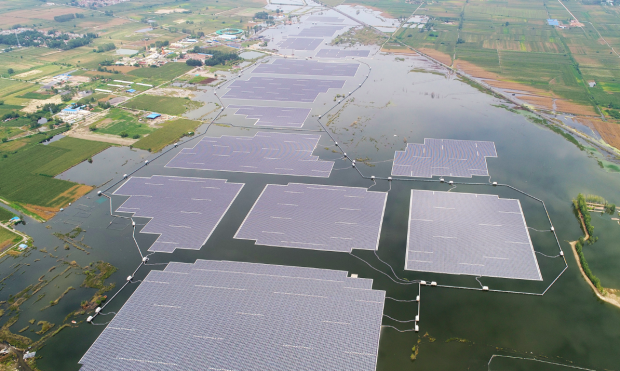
x=27, y=175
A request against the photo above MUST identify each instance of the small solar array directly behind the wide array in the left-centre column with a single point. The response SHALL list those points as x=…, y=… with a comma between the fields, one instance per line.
x=285, y=117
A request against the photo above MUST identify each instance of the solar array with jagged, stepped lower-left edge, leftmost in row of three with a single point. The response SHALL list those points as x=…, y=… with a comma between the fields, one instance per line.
x=184, y=211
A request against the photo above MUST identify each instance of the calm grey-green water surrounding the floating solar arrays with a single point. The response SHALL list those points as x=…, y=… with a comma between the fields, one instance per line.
x=393, y=107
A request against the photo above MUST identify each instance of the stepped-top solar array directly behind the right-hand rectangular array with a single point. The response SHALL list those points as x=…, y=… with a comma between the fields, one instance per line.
x=444, y=157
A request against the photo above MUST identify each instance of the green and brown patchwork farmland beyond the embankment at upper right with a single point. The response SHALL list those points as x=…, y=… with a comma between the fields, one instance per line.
x=511, y=45
